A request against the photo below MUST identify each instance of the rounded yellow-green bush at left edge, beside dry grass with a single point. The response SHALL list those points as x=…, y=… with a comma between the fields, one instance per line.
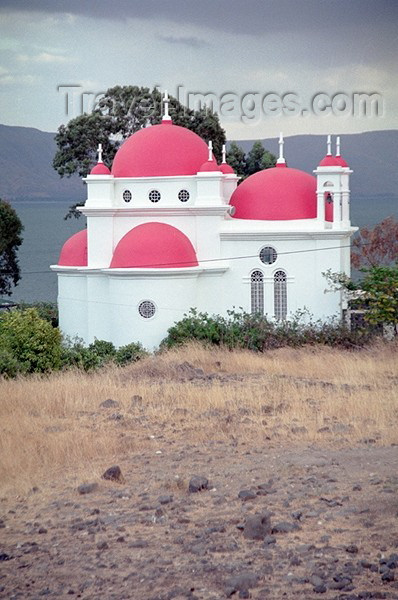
x=30, y=340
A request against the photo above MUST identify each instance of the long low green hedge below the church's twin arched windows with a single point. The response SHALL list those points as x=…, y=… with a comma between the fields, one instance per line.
x=258, y=333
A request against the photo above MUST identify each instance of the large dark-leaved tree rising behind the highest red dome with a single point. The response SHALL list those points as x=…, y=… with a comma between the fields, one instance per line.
x=121, y=112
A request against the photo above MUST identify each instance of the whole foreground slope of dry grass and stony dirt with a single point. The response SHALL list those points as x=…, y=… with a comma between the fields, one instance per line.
x=327, y=484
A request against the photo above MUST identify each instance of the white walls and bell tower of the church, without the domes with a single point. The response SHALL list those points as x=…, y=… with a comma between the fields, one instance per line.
x=104, y=302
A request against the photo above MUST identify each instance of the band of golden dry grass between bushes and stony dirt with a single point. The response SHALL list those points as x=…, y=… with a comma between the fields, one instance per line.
x=53, y=425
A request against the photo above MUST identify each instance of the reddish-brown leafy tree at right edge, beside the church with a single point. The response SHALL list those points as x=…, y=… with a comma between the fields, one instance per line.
x=376, y=246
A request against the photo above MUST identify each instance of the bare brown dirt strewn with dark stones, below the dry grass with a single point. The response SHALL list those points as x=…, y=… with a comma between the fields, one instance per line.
x=149, y=538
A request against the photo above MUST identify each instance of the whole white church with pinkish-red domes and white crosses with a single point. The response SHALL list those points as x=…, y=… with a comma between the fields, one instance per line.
x=169, y=229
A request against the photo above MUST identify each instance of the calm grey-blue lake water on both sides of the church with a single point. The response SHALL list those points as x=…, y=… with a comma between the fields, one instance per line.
x=45, y=232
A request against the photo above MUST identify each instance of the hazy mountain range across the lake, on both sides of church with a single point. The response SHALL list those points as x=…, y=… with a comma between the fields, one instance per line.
x=26, y=156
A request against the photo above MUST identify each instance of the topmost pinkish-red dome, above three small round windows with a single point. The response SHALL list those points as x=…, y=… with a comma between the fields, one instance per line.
x=160, y=151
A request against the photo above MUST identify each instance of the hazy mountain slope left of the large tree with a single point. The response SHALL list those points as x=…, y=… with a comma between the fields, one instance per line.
x=26, y=171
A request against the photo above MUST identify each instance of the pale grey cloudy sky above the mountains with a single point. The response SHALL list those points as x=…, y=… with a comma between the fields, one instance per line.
x=250, y=55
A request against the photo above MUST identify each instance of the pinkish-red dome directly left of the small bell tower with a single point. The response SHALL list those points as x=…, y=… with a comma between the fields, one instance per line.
x=276, y=195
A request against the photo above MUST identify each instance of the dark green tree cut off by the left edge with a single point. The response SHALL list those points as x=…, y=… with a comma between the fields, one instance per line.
x=10, y=239
